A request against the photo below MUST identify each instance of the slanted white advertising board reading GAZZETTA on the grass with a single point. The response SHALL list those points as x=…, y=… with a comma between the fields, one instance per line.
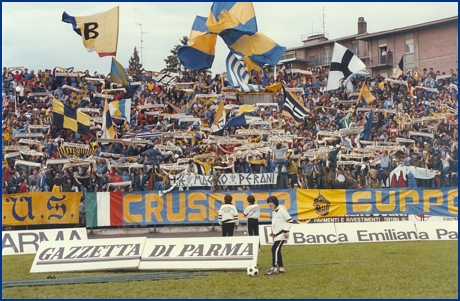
x=89, y=255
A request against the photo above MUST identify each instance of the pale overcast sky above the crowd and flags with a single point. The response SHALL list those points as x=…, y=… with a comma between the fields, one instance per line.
x=33, y=35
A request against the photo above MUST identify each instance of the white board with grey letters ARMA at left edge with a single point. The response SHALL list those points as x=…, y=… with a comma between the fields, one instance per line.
x=28, y=241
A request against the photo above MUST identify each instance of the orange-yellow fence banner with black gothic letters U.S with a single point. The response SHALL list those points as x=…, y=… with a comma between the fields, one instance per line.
x=38, y=208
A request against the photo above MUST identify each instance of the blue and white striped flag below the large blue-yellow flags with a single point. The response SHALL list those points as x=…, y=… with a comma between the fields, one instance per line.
x=238, y=75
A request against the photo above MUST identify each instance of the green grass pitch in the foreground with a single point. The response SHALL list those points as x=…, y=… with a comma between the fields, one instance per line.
x=389, y=270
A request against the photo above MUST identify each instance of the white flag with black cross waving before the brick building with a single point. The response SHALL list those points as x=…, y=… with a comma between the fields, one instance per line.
x=343, y=64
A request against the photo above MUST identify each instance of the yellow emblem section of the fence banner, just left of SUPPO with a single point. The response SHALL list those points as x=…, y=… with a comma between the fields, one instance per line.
x=313, y=203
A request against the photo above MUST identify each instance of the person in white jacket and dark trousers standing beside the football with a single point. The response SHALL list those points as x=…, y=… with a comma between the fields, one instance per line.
x=281, y=223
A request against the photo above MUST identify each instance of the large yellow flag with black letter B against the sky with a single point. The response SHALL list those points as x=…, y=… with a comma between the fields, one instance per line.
x=99, y=32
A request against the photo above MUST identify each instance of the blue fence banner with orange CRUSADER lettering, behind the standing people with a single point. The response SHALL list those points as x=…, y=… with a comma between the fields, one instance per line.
x=190, y=207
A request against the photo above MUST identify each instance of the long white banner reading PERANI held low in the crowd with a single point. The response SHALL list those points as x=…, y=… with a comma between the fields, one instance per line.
x=233, y=179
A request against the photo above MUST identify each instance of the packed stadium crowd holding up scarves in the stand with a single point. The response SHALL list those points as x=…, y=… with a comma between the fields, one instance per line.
x=413, y=124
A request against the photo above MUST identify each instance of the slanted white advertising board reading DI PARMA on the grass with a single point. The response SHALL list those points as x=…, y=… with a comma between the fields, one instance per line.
x=203, y=253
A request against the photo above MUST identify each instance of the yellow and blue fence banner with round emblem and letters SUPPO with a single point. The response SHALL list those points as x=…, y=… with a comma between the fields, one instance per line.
x=328, y=203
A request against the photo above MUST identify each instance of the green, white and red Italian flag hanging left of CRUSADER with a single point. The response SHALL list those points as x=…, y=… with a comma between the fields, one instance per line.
x=104, y=209
